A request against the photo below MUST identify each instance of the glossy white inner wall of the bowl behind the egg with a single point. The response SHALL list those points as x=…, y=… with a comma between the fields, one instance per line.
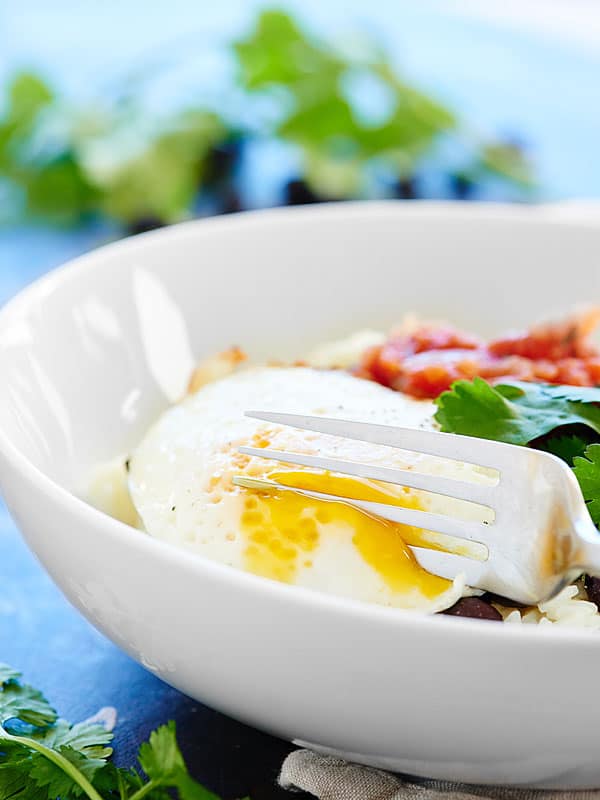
x=90, y=354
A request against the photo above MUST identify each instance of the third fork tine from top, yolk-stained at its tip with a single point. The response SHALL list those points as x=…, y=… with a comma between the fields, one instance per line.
x=460, y=529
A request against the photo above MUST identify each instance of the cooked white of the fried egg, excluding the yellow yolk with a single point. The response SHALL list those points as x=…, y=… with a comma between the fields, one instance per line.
x=180, y=474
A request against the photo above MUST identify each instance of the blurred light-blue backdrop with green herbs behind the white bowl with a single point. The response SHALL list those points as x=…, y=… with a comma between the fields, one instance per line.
x=120, y=117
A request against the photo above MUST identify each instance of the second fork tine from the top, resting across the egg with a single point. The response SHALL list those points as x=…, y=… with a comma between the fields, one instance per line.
x=475, y=493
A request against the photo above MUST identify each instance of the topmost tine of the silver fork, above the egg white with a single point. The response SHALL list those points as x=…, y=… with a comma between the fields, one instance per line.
x=444, y=445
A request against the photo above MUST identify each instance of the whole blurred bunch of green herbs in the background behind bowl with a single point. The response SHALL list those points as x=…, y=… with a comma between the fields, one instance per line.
x=129, y=160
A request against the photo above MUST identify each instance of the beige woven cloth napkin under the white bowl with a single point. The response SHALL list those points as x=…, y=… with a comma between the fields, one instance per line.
x=333, y=779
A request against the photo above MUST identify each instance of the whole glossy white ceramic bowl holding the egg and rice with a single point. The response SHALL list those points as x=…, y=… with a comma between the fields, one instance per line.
x=92, y=352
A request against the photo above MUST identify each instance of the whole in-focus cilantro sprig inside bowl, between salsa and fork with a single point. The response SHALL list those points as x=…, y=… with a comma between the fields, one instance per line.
x=563, y=420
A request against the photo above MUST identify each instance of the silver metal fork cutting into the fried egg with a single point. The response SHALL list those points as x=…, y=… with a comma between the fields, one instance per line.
x=542, y=536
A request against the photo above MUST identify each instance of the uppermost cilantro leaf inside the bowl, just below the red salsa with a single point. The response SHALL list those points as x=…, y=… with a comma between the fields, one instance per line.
x=516, y=413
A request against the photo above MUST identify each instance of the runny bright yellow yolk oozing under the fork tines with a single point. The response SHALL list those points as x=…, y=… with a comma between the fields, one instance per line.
x=283, y=530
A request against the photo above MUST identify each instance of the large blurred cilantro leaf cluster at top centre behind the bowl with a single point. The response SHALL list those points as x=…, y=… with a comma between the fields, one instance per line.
x=322, y=114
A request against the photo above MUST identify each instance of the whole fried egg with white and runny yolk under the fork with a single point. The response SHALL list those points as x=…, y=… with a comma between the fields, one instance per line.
x=181, y=484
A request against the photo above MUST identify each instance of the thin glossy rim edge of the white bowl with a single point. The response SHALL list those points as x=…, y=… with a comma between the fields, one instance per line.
x=26, y=299
